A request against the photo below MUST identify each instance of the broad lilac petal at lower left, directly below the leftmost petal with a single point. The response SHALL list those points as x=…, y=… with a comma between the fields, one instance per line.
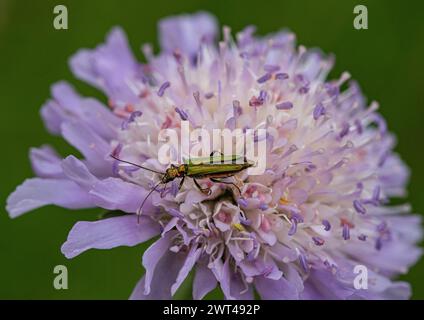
x=109, y=233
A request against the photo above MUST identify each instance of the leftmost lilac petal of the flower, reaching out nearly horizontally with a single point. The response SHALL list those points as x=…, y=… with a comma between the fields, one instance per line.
x=38, y=192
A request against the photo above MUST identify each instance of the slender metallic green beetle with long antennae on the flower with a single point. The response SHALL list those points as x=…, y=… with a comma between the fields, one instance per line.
x=213, y=168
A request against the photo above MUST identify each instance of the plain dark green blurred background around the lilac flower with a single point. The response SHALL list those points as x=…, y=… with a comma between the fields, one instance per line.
x=387, y=60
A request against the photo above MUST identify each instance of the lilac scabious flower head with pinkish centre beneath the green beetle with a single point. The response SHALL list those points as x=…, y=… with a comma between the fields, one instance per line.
x=295, y=232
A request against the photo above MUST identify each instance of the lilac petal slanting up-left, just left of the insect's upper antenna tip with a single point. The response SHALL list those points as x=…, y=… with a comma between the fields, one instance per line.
x=92, y=146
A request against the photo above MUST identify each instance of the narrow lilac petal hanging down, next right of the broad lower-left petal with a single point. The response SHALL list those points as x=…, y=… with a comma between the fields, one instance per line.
x=153, y=255
